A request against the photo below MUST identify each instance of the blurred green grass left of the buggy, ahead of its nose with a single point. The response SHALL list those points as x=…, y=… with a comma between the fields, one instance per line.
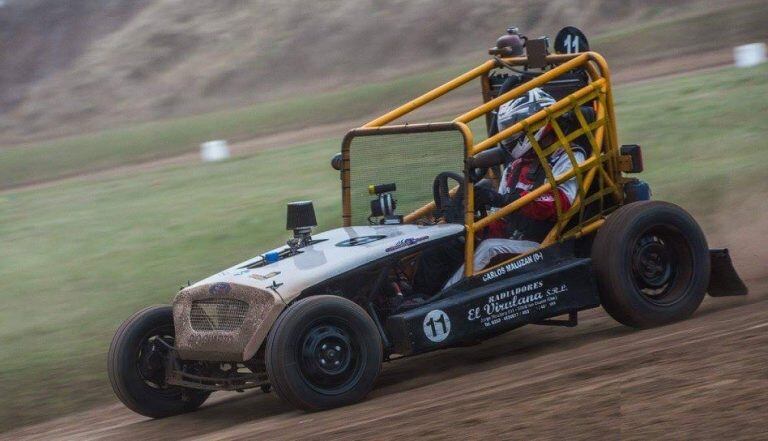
x=78, y=258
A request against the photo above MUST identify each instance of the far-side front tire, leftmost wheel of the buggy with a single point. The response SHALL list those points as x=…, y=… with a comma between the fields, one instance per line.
x=136, y=380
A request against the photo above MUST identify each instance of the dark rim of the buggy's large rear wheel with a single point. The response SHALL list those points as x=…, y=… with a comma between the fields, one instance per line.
x=661, y=265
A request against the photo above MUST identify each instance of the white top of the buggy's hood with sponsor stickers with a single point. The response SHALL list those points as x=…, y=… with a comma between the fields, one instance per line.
x=326, y=259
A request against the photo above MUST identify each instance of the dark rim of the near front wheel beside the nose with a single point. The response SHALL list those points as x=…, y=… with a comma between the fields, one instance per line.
x=330, y=356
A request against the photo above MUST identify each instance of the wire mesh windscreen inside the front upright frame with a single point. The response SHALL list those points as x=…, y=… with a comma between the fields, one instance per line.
x=410, y=159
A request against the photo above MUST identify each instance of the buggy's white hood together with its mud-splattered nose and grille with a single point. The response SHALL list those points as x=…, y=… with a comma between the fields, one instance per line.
x=252, y=294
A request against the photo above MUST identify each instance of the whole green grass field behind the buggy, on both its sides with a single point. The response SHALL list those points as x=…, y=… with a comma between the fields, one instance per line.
x=80, y=257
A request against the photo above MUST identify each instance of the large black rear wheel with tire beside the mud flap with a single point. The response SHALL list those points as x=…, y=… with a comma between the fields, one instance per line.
x=652, y=264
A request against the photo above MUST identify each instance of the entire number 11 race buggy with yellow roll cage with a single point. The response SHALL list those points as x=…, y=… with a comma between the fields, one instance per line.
x=315, y=319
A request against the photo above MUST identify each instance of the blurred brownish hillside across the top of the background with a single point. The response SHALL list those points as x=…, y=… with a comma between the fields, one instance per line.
x=84, y=66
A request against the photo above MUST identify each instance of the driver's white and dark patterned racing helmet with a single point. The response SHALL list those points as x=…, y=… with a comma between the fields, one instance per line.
x=517, y=110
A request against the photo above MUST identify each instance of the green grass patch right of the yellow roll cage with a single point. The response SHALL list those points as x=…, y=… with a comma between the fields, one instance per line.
x=703, y=135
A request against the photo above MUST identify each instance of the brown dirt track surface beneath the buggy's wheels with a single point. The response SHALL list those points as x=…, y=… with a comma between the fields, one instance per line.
x=706, y=378
